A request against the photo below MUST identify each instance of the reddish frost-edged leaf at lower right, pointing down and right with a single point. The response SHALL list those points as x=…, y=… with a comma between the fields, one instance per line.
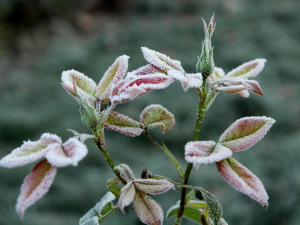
x=243, y=180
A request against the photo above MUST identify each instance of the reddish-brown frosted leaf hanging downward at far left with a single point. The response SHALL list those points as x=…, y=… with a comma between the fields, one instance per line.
x=35, y=186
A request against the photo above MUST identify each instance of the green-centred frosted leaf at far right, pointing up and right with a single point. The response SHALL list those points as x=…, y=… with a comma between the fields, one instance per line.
x=245, y=132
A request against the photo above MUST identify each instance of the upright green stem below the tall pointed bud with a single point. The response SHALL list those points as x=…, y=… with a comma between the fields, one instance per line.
x=200, y=114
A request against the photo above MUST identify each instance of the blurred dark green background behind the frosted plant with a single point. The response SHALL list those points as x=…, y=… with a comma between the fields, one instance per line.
x=39, y=39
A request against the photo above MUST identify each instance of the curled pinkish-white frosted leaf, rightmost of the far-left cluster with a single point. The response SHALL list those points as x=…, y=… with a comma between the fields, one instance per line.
x=70, y=153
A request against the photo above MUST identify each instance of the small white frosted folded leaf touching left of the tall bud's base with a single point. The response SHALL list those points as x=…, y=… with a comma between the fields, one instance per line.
x=188, y=80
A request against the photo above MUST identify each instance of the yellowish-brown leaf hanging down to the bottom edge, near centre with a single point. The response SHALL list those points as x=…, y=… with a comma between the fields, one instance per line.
x=147, y=209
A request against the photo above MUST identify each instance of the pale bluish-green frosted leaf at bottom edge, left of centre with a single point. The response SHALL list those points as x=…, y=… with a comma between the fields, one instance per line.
x=99, y=211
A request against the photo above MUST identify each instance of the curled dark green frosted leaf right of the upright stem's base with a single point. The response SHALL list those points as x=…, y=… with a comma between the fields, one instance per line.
x=214, y=206
